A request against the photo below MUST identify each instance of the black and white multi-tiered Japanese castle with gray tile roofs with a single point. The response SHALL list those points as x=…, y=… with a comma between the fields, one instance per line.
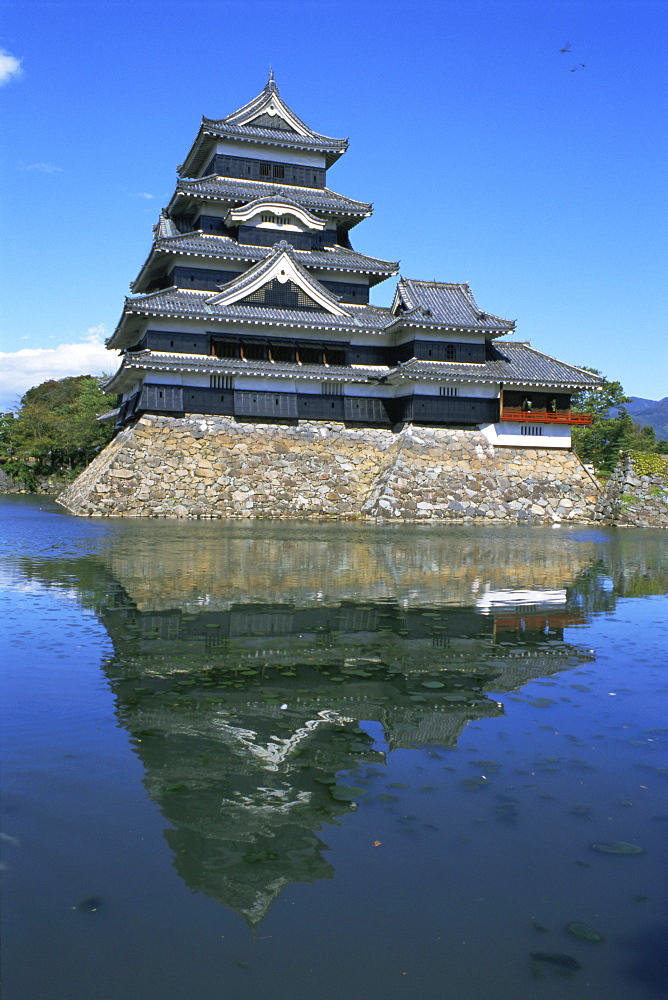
x=252, y=304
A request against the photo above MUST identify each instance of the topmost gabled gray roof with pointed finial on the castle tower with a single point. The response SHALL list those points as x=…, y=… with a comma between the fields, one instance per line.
x=266, y=120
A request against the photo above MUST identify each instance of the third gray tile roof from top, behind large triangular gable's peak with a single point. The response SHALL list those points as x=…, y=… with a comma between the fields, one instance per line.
x=206, y=245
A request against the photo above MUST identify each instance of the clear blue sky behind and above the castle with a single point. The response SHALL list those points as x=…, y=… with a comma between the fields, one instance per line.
x=490, y=156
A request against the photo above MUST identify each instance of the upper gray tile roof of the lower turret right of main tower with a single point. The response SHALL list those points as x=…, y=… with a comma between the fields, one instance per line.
x=444, y=305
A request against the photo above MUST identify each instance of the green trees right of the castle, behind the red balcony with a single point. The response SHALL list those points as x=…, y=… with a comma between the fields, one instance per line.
x=607, y=437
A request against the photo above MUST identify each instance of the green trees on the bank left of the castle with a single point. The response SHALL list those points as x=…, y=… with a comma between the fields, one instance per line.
x=55, y=431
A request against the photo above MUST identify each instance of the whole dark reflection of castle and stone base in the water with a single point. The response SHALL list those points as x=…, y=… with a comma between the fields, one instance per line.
x=246, y=658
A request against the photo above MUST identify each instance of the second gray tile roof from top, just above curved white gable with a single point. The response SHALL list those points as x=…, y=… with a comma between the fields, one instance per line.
x=233, y=191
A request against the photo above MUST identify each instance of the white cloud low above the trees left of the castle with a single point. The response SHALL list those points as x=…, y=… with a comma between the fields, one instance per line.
x=21, y=370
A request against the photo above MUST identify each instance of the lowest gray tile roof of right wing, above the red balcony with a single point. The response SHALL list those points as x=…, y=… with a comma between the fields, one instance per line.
x=513, y=364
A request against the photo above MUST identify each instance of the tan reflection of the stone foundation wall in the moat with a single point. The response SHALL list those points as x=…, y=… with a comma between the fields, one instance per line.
x=208, y=565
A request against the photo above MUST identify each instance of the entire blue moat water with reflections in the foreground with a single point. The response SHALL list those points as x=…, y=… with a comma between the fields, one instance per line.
x=249, y=760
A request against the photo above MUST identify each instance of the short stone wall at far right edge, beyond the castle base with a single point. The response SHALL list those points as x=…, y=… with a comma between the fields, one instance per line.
x=635, y=498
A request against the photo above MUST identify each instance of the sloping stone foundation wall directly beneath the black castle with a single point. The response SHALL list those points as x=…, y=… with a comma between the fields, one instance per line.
x=202, y=466
